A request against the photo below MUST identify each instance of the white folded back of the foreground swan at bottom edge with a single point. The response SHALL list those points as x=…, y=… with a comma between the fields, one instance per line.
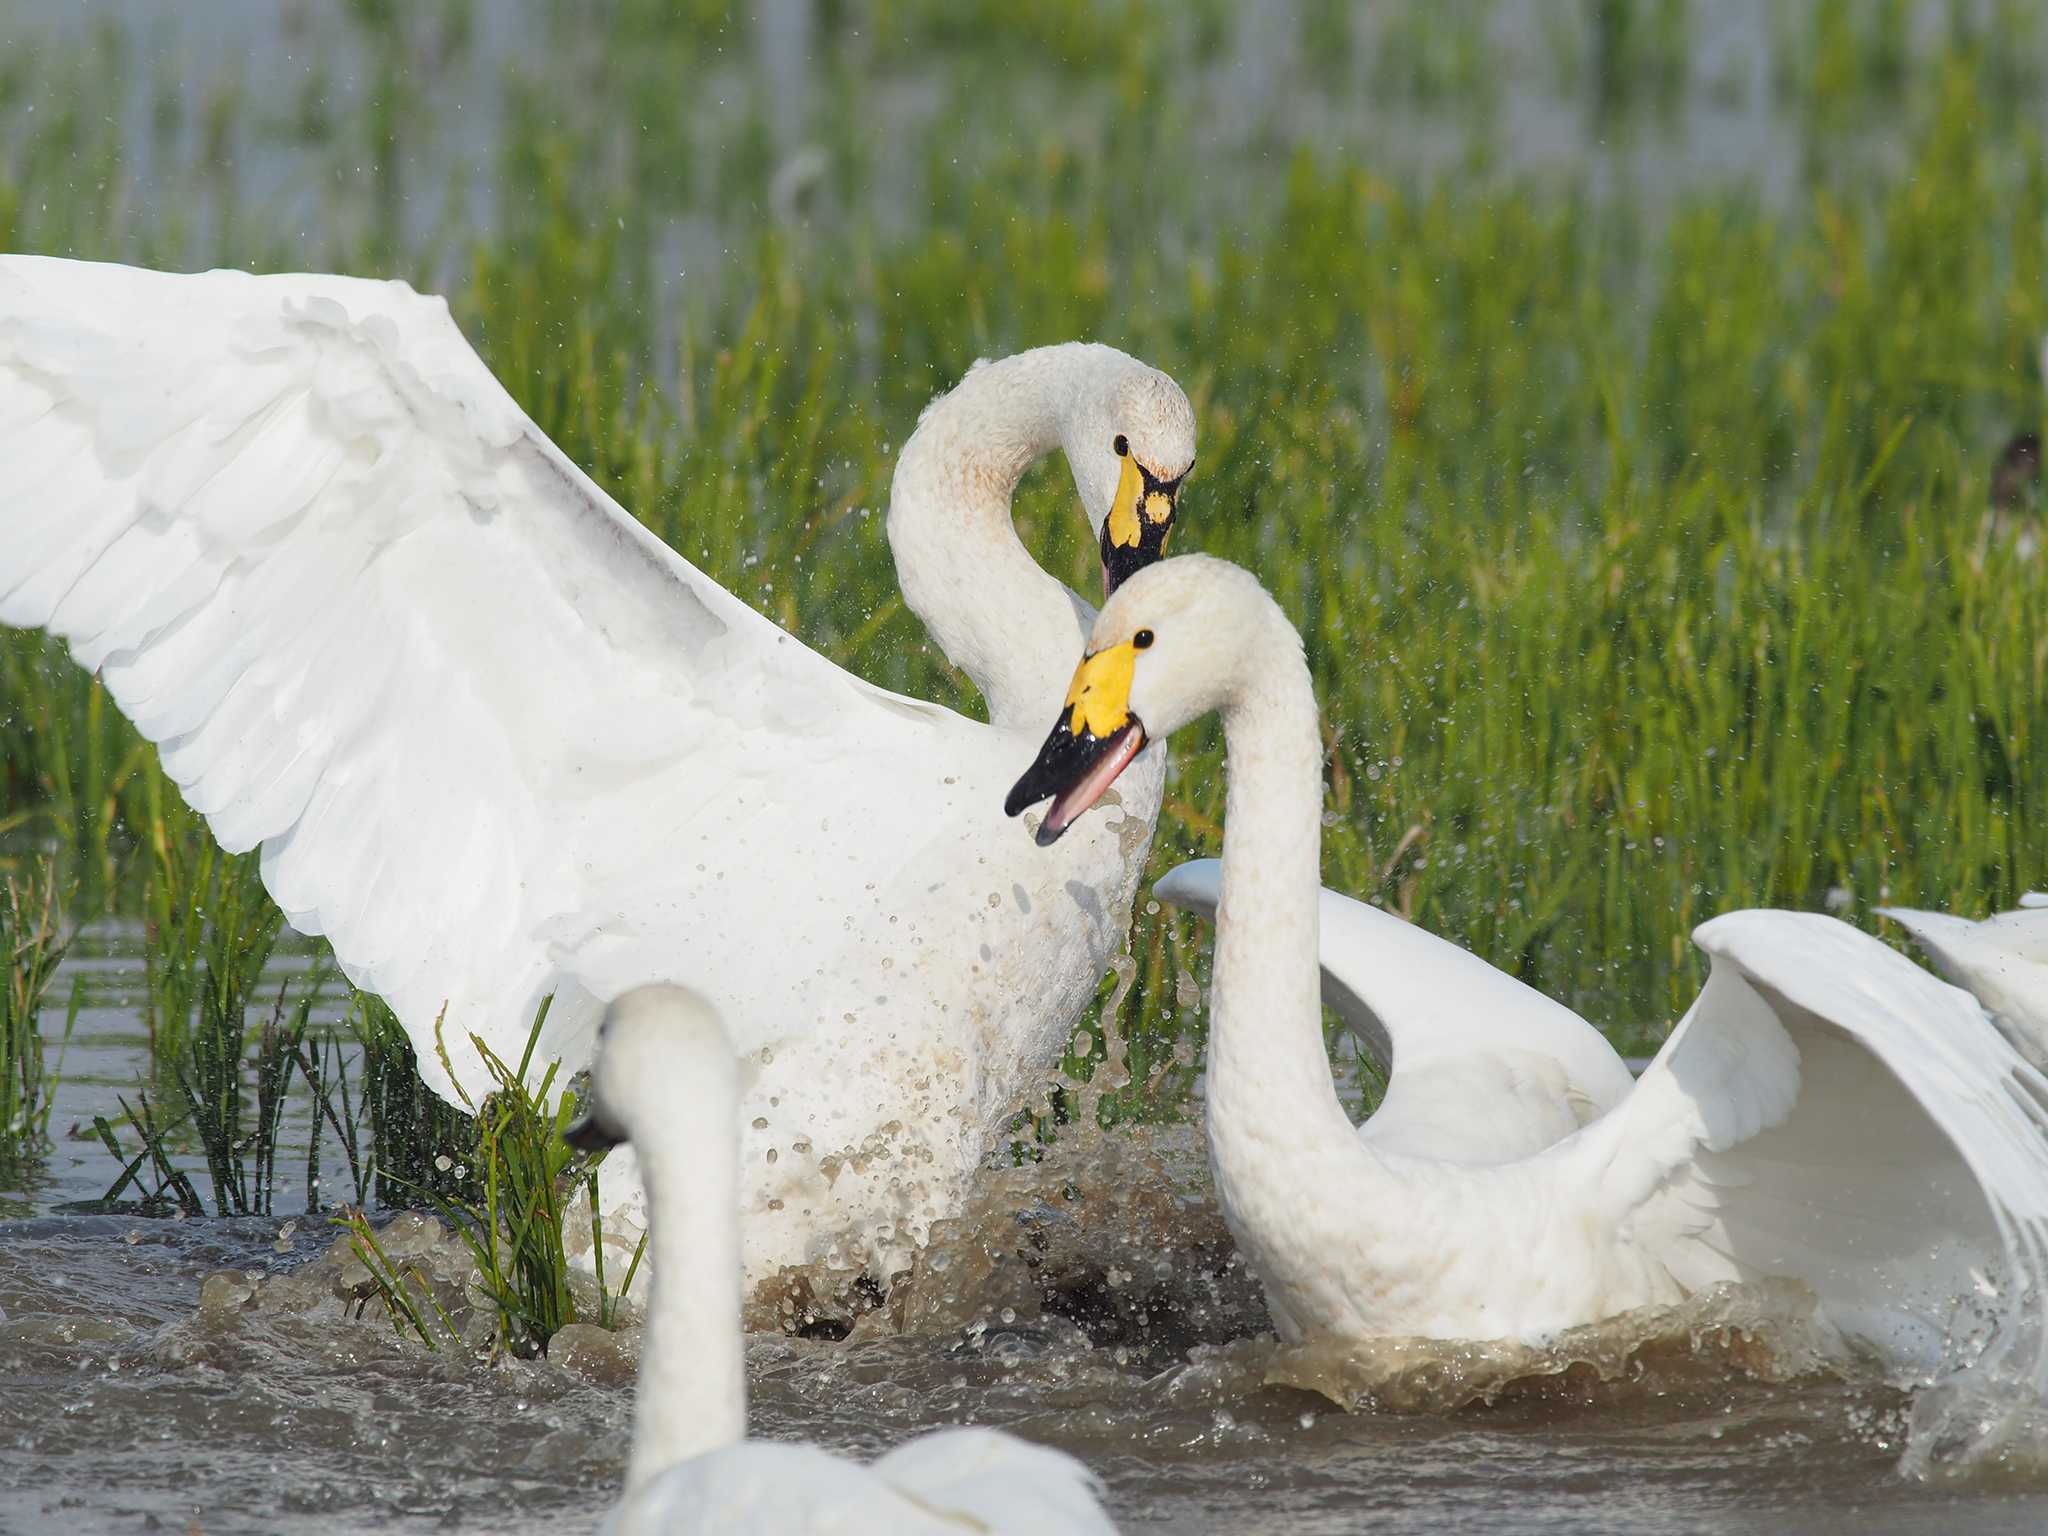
x=937, y=1486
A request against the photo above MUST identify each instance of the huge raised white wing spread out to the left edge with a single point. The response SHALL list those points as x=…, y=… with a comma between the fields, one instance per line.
x=474, y=714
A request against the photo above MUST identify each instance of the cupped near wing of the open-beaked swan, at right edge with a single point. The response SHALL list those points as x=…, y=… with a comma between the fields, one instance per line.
x=1832, y=1113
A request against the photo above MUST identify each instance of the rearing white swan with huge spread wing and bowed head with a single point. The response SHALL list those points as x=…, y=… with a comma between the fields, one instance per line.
x=499, y=742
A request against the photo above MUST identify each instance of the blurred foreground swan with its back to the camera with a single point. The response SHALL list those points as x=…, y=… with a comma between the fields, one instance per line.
x=667, y=1080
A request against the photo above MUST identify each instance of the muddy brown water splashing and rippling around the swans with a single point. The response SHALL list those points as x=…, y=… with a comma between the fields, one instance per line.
x=214, y=1375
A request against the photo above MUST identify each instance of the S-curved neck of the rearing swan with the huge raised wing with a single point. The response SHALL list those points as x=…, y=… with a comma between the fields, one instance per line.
x=962, y=566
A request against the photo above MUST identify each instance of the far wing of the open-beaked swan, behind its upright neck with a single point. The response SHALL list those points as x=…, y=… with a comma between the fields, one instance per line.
x=1484, y=1070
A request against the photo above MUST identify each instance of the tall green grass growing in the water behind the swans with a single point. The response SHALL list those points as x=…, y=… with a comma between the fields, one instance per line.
x=1639, y=542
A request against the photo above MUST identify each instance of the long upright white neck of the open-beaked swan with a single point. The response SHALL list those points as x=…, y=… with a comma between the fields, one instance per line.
x=1285, y=1156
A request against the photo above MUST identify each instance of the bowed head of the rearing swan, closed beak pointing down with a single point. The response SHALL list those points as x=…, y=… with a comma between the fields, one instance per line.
x=1132, y=445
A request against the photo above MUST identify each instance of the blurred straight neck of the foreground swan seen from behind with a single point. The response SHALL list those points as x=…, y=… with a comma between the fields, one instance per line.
x=693, y=1392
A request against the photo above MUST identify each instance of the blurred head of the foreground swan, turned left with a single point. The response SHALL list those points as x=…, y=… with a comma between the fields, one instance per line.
x=654, y=1046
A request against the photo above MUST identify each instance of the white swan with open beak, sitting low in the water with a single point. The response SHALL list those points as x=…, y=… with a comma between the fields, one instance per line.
x=1826, y=1113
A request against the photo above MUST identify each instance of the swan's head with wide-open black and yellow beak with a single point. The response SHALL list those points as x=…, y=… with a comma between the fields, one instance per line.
x=1177, y=642
